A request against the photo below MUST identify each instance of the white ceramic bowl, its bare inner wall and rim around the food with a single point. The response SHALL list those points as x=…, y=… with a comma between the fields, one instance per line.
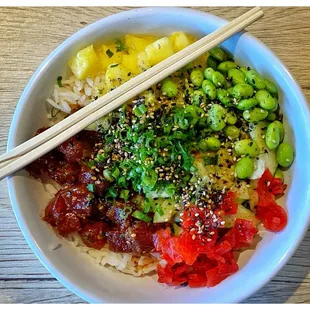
x=98, y=284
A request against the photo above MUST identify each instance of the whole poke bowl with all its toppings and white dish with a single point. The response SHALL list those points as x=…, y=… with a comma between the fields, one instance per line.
x=87, y=267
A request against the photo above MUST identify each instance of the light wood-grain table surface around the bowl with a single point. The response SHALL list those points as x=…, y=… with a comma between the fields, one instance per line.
x=28, y=35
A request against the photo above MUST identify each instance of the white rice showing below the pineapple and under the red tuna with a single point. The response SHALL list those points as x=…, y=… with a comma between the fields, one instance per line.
x=80, y=93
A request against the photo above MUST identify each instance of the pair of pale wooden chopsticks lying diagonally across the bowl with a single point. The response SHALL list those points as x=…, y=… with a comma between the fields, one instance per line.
x=29, y=151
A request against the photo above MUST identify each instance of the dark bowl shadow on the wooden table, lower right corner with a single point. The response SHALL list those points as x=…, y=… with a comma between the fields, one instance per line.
x=284, y=285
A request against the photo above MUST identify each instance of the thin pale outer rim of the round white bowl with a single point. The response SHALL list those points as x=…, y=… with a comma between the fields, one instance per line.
x=79, y=291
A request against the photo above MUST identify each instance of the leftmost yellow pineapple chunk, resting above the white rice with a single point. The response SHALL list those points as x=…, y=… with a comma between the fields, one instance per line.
x=84, y=63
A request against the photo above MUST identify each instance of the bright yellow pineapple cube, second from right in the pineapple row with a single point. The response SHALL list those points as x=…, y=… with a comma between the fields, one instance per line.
x=159, y=50
